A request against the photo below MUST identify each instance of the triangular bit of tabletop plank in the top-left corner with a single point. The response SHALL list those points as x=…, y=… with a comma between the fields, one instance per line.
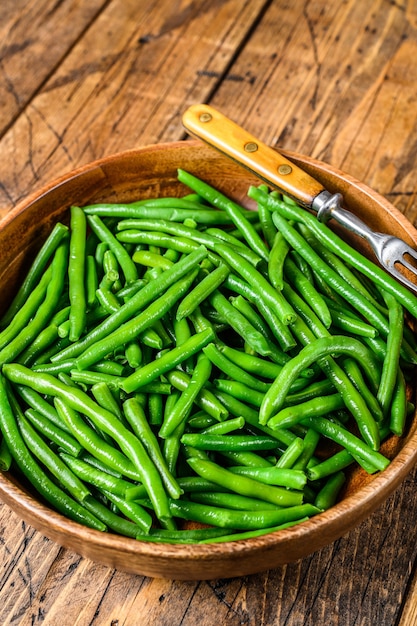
x=35, y=36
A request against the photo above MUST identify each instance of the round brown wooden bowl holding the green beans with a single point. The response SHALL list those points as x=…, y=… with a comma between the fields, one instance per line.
x=150, y=172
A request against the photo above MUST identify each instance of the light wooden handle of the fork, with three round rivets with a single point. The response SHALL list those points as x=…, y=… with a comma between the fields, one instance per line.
x=214, y=128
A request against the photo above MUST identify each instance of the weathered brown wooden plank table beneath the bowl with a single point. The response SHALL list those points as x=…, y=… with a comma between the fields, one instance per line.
x=81, y=79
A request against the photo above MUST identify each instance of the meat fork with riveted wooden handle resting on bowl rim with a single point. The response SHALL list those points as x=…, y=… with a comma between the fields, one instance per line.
x=217, y=130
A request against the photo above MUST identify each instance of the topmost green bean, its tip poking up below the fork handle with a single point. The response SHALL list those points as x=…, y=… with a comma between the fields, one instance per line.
x=220, y=201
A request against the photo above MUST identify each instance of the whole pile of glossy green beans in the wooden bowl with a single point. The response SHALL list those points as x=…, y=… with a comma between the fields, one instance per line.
x=185, y=370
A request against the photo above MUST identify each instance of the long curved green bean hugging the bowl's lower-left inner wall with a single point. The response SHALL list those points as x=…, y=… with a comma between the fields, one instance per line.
x=53, y=494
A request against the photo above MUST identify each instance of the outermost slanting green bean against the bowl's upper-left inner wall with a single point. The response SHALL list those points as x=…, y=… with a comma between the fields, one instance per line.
x=36, y=270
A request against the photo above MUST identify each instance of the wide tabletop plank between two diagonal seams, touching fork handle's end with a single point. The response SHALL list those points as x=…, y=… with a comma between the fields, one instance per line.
x=124, y=84
